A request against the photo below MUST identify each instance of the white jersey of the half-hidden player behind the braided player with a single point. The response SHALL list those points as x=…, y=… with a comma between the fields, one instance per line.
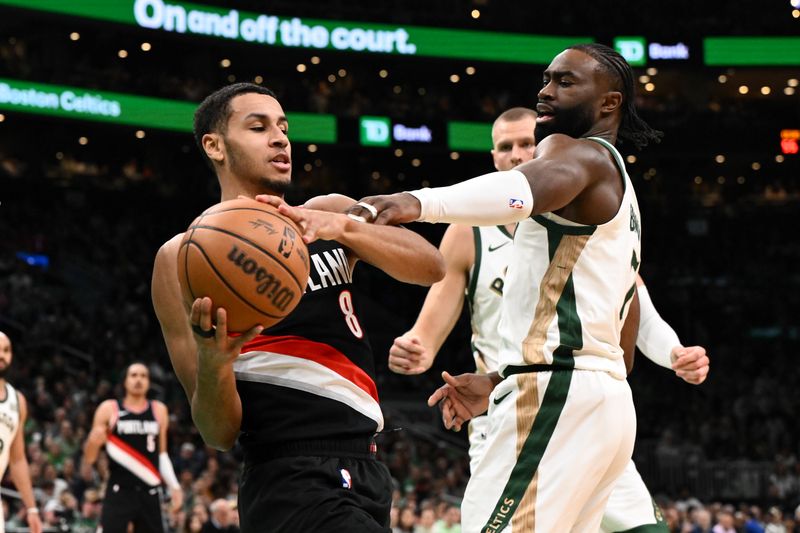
x=493, y=246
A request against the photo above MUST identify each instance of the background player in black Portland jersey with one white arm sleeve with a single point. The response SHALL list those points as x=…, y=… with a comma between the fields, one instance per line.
x=134, y=432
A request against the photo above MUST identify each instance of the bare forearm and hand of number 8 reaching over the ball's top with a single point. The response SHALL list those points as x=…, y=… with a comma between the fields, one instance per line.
x=401, y=253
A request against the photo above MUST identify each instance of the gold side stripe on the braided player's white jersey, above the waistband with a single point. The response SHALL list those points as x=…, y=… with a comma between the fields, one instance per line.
x=552, y=285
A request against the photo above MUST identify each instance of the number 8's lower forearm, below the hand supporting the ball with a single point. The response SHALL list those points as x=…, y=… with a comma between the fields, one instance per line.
x=216, y=406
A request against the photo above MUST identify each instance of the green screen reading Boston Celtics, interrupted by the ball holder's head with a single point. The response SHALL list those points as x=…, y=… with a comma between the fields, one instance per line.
x=141, y=111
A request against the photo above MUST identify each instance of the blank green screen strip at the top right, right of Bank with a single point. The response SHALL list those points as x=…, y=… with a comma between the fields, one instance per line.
x=752, y=51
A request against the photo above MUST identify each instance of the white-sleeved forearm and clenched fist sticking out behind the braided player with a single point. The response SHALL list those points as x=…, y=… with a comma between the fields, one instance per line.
x=659, y=343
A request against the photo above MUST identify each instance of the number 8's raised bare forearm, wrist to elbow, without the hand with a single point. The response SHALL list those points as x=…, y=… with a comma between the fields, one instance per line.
x=401, y=253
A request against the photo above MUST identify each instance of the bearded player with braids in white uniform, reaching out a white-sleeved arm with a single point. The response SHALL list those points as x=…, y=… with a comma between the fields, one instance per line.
x=561, y=417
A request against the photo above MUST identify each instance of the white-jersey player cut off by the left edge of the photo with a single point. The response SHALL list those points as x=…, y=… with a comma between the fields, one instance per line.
x=13, y=412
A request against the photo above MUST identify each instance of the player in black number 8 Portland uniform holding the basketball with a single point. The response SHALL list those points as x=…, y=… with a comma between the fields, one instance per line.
x=301, y=395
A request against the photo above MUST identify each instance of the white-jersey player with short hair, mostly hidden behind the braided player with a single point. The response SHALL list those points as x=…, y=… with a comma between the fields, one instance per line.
x=476, y=259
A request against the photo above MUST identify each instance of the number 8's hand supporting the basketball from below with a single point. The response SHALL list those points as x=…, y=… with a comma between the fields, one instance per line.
x=215, y=347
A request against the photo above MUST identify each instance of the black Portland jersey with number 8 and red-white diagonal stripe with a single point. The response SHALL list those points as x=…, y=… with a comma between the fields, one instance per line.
x=312, y=375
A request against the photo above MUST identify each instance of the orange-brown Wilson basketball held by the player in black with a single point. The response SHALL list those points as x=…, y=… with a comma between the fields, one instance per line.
x=248, y=258
